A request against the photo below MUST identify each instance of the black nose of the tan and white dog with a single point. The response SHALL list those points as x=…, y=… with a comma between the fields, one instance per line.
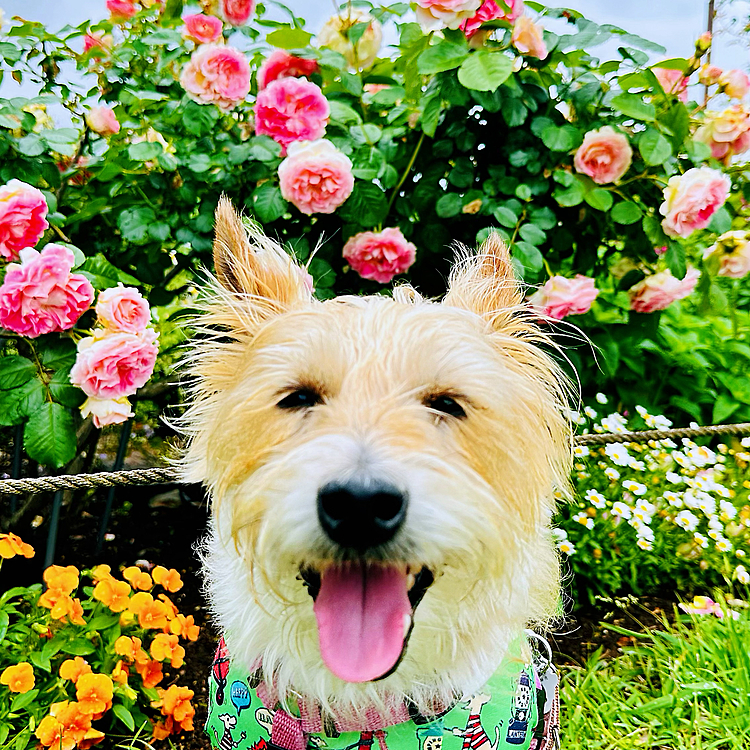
x=361, y=515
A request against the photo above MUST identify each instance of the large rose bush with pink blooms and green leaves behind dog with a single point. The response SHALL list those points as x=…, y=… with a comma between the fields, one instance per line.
x=617, y=194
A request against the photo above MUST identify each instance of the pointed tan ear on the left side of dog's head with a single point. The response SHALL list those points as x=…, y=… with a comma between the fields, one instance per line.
x=253, y=266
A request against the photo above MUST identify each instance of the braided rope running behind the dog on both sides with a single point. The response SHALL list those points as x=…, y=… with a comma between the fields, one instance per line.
x=132, y=477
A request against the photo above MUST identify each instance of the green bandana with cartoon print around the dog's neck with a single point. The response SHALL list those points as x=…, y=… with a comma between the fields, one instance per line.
x=501, y=716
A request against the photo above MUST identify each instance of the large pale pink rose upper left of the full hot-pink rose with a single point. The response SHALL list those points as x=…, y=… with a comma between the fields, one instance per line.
x=217, y=74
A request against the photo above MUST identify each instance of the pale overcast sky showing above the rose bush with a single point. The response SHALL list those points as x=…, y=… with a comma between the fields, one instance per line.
x=673, y=23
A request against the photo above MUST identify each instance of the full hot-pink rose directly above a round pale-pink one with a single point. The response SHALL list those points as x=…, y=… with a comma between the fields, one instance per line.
x=291, y=109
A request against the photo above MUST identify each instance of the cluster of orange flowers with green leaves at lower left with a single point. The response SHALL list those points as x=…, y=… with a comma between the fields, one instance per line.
x=120, y=664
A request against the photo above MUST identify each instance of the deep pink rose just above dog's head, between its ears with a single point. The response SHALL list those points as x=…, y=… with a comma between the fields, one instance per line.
x=380, y=255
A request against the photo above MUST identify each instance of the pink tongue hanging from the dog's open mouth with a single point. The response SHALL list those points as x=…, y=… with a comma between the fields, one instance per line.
x=361, y=613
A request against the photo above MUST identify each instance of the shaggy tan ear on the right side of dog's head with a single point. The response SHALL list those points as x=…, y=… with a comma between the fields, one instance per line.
x=485, y=283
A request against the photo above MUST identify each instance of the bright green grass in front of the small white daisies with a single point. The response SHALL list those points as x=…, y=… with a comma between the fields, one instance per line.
x=687, y=686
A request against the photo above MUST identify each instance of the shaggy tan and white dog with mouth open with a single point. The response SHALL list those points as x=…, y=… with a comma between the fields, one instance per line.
x=382, y=473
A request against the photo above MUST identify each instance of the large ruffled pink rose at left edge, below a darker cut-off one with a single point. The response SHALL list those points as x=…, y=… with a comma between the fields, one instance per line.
x=41, y=295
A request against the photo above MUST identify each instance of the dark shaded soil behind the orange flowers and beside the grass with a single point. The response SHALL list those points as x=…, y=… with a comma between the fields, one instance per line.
x=162, y=525
